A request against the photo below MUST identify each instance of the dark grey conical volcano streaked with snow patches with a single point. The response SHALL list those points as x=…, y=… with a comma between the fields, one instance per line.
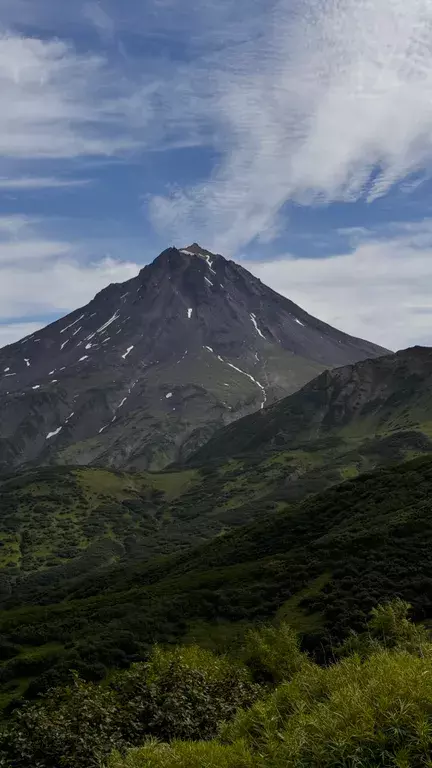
x=151, y=368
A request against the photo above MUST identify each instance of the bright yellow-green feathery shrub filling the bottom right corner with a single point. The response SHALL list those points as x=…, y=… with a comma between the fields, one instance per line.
x=371, y=713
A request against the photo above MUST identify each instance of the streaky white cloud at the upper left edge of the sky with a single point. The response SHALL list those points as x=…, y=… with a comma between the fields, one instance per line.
x=60, y=103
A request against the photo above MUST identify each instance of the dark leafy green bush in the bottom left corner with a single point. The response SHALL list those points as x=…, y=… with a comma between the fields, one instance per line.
x=183, y=693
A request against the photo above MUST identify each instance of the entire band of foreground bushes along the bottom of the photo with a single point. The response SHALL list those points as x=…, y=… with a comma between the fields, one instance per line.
x=370, y=710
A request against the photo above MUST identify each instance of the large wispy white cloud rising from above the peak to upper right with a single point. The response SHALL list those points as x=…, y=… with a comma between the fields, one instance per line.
x=334, y=102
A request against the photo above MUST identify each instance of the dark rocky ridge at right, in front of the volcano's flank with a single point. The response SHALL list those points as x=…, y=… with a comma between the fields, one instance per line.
x=387, y=400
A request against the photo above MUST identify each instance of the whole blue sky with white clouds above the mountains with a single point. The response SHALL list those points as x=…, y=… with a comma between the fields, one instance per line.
x=294, y=136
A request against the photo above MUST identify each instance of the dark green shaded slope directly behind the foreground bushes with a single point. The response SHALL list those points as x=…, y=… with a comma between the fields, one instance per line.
x=321, y=564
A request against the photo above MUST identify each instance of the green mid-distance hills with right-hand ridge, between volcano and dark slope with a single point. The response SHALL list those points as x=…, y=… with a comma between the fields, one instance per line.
x=59, y=523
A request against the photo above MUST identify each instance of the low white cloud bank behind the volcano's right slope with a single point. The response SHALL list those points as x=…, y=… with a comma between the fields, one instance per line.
x=381, y=291
